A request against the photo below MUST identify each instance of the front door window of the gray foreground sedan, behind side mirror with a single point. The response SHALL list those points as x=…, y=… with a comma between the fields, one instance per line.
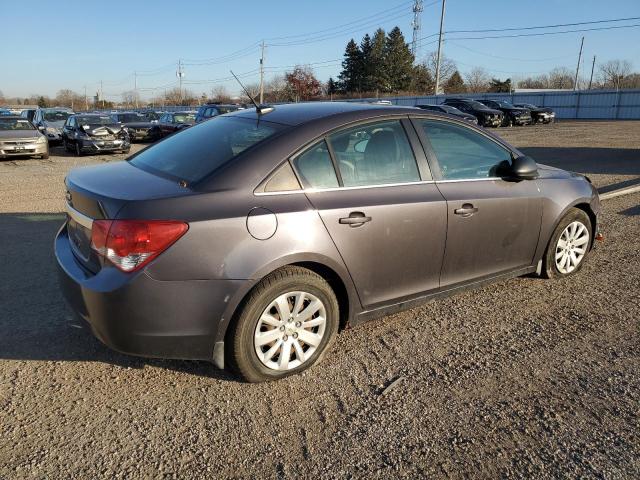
x=463, y=153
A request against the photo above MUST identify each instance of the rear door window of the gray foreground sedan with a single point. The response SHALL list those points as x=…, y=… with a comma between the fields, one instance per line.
x=374, y=154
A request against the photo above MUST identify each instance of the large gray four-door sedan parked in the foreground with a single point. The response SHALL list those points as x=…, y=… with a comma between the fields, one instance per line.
x=249, y=239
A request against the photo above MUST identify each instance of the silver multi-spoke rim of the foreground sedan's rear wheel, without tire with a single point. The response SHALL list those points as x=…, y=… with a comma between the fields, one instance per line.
x=290, y=330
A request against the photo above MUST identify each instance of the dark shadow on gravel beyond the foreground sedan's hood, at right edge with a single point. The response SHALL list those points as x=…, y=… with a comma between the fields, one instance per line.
x=606, y=161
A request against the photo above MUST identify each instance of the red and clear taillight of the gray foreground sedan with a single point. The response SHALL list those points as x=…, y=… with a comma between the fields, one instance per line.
x=131, y=244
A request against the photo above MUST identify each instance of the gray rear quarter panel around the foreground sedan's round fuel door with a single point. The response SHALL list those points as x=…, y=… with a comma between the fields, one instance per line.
x=218, y=245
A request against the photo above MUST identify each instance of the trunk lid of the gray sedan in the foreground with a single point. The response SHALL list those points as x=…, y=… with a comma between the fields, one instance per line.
x=99, y=192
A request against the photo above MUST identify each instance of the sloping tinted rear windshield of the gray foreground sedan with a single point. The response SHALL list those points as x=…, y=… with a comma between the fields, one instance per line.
x=195, y=152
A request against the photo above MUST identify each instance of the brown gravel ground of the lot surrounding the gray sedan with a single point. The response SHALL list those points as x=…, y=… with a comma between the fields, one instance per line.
x=525, y=378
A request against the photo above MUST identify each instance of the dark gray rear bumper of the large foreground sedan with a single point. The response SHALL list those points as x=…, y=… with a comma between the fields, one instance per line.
x=138, y=315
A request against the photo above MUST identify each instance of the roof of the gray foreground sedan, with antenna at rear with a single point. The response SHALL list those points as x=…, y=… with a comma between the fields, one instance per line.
x=299, y=113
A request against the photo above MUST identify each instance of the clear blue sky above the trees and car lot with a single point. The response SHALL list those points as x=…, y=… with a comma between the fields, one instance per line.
x=74, y=43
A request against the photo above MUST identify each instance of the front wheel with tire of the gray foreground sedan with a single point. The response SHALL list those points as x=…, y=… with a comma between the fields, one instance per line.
x=569, y=245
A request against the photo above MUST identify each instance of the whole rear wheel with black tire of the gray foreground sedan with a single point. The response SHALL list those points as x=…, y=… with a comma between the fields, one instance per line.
x=285, y=326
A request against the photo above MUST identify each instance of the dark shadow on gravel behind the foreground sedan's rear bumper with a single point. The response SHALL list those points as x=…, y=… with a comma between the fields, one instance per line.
x=35, y=323
